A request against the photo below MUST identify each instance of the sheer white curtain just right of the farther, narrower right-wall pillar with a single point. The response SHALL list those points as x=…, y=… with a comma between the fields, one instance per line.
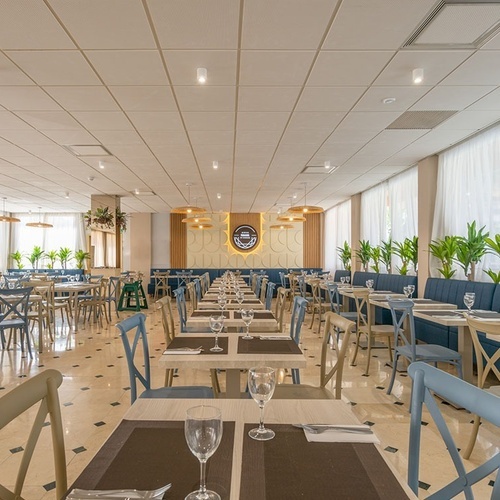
x=375, y=214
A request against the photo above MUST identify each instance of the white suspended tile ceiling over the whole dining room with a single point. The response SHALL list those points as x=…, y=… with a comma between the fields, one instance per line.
x=291, y=84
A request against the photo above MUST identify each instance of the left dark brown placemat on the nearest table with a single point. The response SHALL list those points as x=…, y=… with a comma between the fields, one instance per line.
x=148, y=454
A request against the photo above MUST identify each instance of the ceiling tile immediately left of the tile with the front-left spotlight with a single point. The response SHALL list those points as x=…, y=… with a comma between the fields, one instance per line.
x=128, y=67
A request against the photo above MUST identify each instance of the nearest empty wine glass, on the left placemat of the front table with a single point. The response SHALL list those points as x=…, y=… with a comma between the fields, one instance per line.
x=203, y=431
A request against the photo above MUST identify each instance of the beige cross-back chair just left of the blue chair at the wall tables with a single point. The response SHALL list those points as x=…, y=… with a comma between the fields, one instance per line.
x=366, y=327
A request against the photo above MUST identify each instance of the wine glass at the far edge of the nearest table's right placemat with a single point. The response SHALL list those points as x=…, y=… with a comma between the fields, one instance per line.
x=261, y=384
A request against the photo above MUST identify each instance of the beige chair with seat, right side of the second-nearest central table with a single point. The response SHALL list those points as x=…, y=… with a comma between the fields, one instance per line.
x=335, y=326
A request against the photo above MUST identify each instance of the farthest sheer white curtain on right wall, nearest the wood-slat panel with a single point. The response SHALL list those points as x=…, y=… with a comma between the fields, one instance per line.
x=337, y=230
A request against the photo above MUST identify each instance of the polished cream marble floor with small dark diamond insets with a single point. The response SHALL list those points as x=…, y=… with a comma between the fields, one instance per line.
x=95, y=394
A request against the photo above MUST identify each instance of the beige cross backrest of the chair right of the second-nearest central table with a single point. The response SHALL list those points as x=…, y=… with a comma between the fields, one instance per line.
x=335, y=326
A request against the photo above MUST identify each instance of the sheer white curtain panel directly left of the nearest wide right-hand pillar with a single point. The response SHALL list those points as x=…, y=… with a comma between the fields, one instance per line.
x=403, y=207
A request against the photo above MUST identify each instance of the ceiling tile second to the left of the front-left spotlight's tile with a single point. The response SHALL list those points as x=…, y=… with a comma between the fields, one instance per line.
x=57, y=67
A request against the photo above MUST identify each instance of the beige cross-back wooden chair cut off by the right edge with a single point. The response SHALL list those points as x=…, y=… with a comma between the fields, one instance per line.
x=485, y=366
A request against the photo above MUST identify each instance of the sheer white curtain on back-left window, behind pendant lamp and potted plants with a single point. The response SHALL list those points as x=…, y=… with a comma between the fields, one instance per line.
x=68, y=231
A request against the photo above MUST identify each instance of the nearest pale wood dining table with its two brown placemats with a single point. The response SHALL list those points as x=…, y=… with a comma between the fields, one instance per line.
x=148, y=450
